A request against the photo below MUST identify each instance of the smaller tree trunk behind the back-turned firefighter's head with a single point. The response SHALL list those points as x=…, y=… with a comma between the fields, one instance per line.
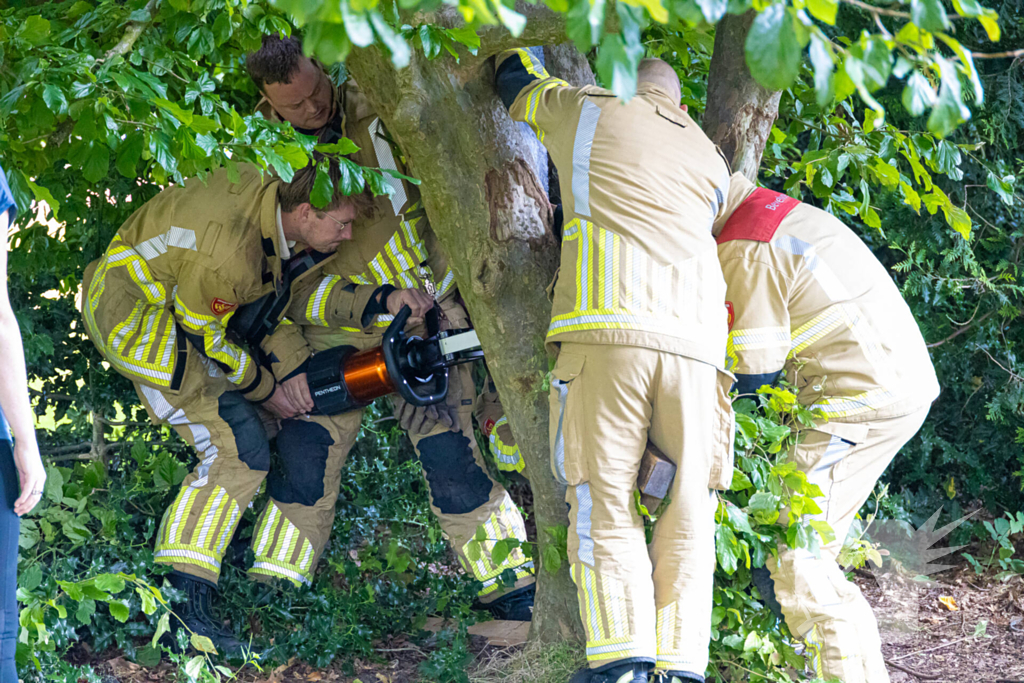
x=740, y=111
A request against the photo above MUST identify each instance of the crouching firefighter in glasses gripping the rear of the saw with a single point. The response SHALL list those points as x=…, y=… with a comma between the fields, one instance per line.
x=159, y=306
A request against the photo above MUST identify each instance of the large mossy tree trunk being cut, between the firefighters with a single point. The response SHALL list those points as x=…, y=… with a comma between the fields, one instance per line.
x=493, y=217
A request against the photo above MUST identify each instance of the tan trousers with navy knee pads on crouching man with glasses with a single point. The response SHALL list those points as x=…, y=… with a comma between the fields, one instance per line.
x=232, y=444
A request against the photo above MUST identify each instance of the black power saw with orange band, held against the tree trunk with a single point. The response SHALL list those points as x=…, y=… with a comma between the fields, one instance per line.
x=344, y=379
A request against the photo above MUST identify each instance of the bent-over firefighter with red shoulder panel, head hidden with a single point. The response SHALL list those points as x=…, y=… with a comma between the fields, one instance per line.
x=809, y=303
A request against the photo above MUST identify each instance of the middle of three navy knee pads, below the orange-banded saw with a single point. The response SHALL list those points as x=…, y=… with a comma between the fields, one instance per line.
x=305, y=448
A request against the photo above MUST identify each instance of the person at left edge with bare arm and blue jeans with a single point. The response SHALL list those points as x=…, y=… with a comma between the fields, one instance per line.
x=22, y=474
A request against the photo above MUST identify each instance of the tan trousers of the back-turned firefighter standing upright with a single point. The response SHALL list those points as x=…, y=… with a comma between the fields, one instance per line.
x=639, y=602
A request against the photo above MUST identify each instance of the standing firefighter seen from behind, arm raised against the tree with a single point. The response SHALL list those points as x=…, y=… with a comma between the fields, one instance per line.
x=641, y=320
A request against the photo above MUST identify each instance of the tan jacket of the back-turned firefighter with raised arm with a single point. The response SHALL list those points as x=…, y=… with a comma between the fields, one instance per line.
x=638, y=261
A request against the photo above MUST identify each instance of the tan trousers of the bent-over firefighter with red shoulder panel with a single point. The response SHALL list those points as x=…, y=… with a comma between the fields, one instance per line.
x=820, y=605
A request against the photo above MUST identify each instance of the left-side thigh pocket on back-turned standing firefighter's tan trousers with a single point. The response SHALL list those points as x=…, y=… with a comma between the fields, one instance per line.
x=567, y=463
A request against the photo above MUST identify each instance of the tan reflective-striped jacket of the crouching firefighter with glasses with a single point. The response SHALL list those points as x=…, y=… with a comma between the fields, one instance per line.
x=178, y=271
